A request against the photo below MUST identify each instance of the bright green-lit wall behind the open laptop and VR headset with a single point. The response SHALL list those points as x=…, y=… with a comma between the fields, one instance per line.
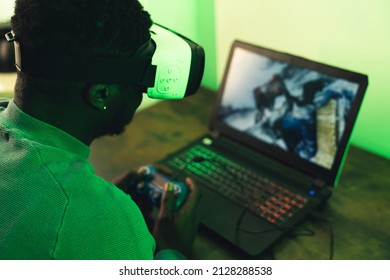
x=346, y=33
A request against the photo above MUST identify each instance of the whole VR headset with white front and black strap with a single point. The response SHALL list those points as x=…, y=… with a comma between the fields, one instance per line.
x=168, y=66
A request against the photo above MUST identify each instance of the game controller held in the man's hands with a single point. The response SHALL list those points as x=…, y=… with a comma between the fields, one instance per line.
x=153, y=186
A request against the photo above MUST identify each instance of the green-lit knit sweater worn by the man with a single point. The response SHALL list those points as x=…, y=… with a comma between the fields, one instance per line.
x=53, y=206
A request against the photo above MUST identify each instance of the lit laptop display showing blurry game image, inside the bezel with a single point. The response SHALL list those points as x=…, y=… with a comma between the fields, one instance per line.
x=296, y=109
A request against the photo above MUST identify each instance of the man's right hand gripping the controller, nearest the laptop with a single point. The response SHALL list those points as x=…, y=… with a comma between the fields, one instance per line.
x=177, y=230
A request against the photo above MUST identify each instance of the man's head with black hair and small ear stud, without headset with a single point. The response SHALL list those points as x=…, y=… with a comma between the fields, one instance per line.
x=89, y=28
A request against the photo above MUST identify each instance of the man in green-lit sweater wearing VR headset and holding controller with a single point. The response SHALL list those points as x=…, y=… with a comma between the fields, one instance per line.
x=52, y=205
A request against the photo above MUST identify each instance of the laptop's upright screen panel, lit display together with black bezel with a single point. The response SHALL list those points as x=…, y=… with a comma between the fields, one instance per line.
x=302, y=109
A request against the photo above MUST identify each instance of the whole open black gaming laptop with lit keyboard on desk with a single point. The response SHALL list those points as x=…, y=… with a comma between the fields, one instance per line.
x=276, y=143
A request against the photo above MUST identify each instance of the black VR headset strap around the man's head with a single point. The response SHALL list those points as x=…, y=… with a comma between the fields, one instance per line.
x=136, y=69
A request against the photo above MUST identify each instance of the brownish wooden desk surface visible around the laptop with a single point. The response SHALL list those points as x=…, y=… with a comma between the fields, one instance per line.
x=357, y=213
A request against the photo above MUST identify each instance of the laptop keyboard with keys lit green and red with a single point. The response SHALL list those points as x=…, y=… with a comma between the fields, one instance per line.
x=269, y=200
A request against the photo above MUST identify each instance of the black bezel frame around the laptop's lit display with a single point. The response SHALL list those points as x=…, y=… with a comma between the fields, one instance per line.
x=313, y=170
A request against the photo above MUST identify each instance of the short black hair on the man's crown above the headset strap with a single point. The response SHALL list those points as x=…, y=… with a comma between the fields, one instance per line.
x=82, y=27
